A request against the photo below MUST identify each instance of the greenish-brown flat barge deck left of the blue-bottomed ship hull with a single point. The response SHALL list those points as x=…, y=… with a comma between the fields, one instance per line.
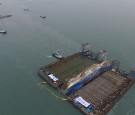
x=65, y=69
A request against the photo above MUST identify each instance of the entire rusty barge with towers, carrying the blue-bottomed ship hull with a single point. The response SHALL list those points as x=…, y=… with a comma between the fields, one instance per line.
x=92, y=83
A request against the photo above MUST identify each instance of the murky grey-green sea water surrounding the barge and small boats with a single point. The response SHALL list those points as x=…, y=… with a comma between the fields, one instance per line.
x=105, y=24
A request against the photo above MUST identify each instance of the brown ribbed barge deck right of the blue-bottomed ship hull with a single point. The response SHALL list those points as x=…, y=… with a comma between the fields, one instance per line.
x=103, y=92
